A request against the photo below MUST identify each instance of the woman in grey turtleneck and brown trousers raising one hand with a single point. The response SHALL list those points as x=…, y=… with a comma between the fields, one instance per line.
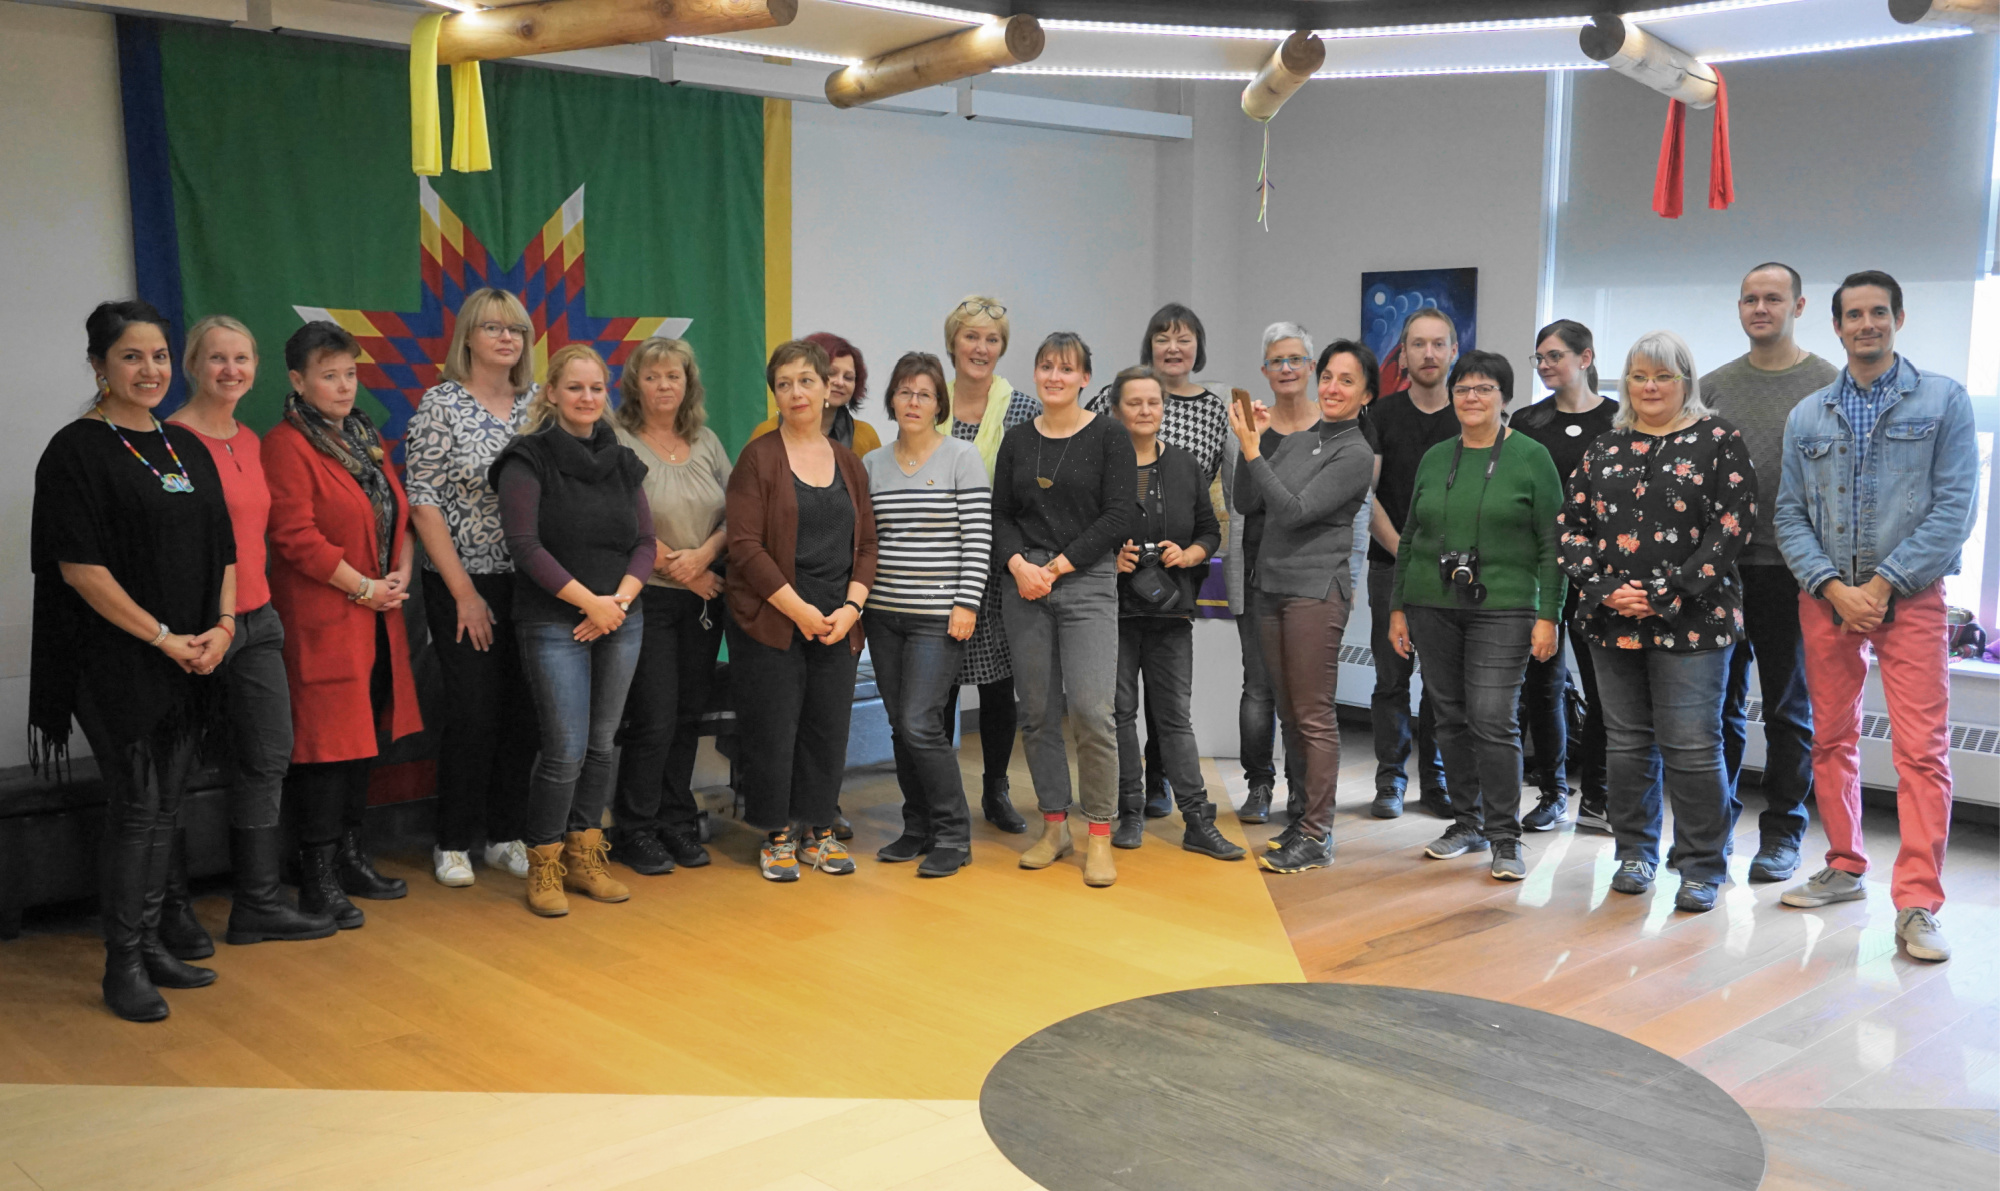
x=1311, y=489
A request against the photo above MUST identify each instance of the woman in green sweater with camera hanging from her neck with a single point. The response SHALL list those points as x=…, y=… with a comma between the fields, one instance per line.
x=1479, y=591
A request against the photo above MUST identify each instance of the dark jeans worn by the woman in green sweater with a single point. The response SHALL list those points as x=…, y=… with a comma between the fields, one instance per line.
x=1473, y=668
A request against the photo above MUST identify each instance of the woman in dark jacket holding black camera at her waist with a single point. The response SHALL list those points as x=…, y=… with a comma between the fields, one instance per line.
x=1161, y=571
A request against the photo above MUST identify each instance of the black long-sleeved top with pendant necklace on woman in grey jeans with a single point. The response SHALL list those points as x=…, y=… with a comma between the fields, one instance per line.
x=1085, y=515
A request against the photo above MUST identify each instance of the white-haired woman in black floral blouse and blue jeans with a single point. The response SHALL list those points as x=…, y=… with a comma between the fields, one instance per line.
x=1651, y=531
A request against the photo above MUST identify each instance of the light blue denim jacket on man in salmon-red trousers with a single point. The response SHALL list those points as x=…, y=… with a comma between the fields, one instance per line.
x=1907, y=515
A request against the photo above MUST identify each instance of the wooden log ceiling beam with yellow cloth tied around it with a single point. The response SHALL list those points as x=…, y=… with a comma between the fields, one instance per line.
x=551, y=27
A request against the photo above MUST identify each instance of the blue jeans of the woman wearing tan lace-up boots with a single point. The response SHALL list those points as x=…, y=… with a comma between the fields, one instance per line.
x=579, y=698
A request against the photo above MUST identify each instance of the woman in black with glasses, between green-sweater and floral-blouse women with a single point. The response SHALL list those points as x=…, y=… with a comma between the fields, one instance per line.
x=1567, y=423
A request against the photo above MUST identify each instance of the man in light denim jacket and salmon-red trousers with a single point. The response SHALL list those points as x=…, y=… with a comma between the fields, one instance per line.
x=1877, y=499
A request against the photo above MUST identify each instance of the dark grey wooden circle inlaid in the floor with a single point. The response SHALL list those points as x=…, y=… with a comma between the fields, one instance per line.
x=1353, y=1086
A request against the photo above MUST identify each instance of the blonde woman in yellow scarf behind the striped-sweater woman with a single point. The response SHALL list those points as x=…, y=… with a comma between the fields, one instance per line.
x=985, y=407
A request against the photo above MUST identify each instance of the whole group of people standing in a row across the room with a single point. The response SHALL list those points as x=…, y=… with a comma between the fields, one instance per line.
x=585, y=563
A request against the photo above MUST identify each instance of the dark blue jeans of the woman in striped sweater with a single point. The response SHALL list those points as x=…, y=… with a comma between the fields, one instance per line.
x=917, y=672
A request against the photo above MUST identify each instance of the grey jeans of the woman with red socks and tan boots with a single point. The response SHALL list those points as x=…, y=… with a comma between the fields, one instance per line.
x=1067, y=656
